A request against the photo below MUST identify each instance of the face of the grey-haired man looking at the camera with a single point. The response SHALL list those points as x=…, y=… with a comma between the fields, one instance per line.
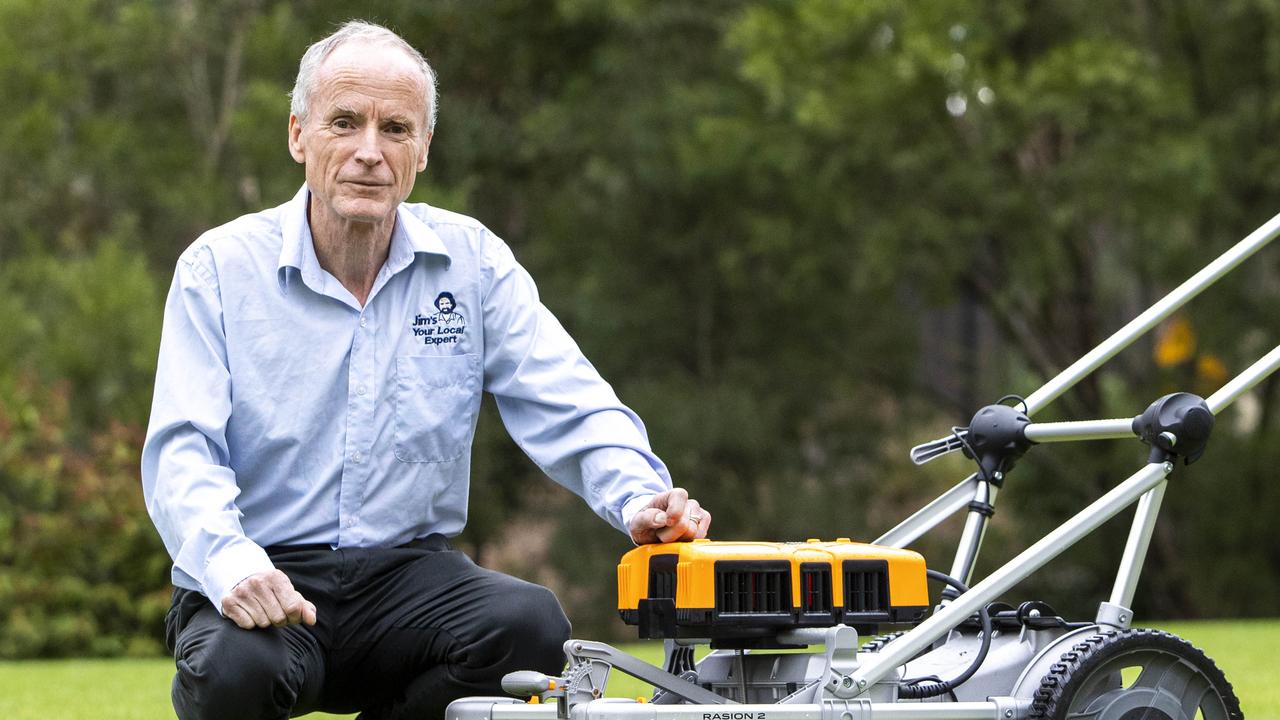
x=365, y=138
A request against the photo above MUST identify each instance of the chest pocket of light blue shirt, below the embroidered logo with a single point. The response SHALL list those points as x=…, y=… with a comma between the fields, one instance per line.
x=437, y=400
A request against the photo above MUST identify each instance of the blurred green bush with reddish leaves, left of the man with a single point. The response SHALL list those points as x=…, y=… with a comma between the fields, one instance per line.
x=83, y=572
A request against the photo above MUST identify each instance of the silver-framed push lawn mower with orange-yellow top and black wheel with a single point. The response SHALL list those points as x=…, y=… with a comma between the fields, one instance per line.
x=796, y=627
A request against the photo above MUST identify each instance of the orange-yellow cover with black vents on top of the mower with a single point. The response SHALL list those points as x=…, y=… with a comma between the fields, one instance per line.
x=744, y=591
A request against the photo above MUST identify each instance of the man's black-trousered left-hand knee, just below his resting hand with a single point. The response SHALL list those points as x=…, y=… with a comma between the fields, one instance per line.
x=234, y=675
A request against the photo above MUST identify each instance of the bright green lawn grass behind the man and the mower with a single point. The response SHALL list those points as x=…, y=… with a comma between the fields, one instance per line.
x=139, y=690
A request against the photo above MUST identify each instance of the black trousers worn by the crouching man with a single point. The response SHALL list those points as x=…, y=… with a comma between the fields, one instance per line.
x=400, y=634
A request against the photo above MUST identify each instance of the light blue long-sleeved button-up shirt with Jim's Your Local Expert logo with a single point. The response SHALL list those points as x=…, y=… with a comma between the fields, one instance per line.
x=287, y=414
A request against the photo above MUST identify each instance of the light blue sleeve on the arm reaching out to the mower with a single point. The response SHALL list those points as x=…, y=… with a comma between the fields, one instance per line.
x=554, y=402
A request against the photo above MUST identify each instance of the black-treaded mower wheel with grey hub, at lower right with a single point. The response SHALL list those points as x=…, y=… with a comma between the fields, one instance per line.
x=1136, y=675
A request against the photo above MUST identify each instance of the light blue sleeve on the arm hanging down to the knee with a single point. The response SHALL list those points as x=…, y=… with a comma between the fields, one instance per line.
x=189, y=487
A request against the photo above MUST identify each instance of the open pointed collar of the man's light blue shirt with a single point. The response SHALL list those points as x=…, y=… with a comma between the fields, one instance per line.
x=298, y=250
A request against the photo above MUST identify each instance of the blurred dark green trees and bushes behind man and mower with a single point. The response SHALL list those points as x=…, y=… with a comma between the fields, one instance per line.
x=798, y=236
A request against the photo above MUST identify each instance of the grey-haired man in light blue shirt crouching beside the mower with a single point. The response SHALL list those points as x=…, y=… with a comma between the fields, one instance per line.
x=310, y=436
